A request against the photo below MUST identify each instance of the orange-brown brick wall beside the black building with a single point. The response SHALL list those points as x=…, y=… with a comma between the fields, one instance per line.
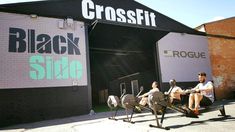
x=222, y=54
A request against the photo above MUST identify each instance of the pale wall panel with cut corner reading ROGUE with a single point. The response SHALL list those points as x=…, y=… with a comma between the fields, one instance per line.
x=182, y=56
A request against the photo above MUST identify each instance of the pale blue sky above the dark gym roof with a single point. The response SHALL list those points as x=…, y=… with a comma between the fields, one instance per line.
x=189, y=12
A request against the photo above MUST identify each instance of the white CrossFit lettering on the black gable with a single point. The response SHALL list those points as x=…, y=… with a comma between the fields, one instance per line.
x=90, y=10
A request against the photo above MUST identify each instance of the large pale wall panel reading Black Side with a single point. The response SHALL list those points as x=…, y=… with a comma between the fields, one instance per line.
x=35, y=52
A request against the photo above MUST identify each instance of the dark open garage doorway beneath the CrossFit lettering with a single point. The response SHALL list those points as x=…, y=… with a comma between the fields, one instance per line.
x=119, y=55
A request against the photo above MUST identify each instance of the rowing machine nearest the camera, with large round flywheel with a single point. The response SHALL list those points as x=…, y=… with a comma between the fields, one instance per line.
x=158, y=101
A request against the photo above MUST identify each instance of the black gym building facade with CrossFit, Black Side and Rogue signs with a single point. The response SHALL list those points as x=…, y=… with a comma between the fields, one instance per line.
x=58, y=57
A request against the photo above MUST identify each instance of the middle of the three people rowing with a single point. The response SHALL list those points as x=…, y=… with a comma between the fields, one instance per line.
x=174, y=92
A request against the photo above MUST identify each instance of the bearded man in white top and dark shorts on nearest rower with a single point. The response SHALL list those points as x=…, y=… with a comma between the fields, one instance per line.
x=204, y=94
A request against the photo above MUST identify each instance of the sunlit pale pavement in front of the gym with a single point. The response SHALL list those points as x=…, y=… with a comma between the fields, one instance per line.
x=207, y=122
